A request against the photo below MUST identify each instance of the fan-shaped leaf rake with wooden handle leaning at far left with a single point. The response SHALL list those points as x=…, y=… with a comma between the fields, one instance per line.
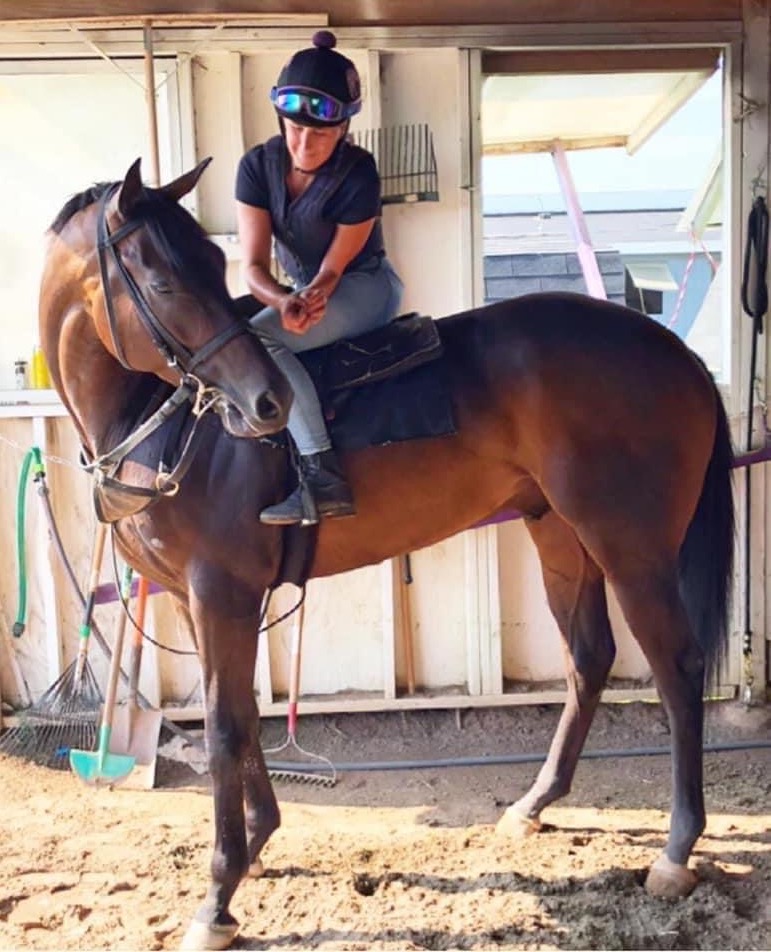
x=67, y=714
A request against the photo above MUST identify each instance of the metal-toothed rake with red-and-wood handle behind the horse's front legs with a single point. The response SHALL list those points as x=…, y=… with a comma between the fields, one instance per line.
x=301, y=766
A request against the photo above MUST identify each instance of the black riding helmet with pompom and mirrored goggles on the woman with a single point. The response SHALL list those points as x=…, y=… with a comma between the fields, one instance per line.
x=318, y=86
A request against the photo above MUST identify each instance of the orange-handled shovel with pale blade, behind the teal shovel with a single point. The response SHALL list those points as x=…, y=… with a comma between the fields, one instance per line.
x=136, y=731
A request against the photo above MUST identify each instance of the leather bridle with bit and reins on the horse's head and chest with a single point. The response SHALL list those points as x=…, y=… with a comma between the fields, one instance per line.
x=179, y=357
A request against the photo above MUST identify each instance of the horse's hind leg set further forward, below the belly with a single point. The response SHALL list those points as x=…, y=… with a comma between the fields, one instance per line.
x=576, y=593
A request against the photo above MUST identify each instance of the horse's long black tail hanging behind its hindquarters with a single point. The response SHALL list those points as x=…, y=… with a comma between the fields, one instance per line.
x=707, y=554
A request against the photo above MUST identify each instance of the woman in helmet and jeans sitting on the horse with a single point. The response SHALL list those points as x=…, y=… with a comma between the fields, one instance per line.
x=318, y=195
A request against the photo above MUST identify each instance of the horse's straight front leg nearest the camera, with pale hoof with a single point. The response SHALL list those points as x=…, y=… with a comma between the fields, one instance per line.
x=228, y=651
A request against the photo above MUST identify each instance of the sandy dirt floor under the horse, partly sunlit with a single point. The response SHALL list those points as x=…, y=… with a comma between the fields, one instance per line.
x=404, y=859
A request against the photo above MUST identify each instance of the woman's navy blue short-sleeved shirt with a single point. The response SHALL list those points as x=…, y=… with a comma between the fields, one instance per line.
x=344, y=191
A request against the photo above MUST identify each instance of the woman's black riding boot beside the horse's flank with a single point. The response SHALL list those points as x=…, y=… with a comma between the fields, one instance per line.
x=325, y=482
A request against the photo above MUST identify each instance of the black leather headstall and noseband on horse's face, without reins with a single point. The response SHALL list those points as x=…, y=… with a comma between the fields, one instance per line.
x=176, y=354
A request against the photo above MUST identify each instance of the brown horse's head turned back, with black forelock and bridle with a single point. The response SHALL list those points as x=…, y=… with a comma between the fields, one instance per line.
x=166, y=308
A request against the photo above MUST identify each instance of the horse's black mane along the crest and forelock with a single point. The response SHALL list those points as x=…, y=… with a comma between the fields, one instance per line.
x=178, y=238
